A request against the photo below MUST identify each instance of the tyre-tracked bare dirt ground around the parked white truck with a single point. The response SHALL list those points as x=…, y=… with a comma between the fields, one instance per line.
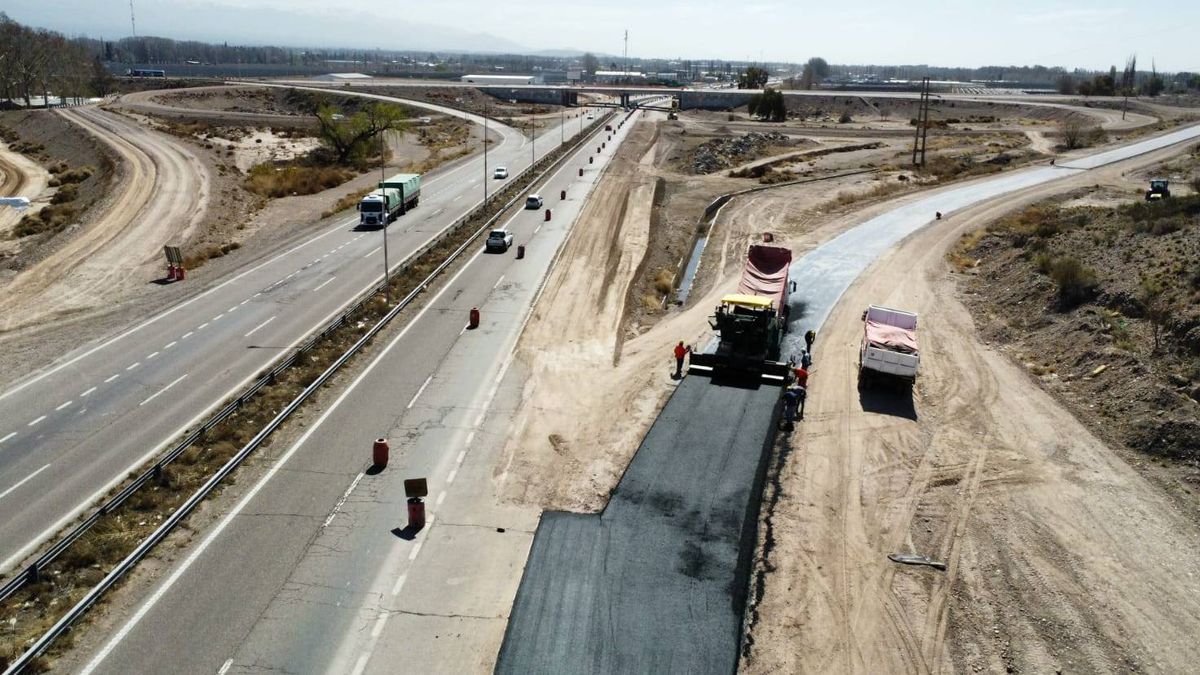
x=1061, y=555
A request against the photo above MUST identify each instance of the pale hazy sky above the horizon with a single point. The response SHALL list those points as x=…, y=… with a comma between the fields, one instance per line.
x=968, y=33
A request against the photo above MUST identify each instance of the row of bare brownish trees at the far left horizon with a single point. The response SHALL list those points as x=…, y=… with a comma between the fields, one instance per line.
x=38, y=63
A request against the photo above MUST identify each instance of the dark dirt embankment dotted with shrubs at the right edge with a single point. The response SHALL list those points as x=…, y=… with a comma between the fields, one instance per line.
x=1100, y=300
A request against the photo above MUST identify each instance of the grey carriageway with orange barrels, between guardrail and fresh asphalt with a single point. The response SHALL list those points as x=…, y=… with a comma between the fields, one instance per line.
x=311, y=571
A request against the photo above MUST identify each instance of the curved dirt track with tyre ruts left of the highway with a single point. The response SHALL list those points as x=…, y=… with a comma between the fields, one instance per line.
x=165, y=192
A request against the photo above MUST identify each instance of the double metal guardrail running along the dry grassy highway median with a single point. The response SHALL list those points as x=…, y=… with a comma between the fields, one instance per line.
x=33, y=572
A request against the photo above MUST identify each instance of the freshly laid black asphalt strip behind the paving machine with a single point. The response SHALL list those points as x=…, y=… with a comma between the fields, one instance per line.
x=658, y=582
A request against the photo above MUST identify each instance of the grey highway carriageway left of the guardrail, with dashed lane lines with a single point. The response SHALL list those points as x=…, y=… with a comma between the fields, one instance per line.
x=74, y=431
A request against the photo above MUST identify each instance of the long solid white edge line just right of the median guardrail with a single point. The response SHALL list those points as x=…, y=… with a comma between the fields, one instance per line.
x=197, y=552
